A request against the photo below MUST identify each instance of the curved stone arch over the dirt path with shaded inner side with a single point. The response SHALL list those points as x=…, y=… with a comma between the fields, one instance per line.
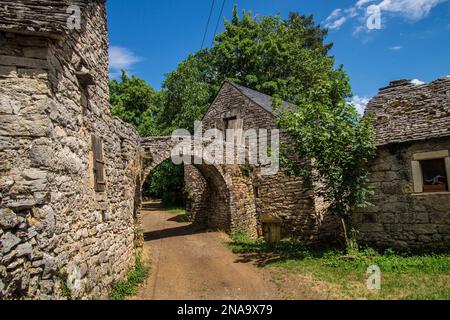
x=218, y=201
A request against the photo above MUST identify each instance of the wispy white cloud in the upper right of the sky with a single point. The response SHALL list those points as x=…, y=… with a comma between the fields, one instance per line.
x=412, y=10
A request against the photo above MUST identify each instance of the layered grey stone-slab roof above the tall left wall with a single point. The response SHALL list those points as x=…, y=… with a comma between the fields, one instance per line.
x=41, y=17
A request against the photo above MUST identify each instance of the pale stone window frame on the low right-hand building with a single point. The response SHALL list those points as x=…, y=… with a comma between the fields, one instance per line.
x=417, y=168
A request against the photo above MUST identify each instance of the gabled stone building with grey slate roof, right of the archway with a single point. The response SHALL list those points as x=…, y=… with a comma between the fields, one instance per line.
x=258, y=199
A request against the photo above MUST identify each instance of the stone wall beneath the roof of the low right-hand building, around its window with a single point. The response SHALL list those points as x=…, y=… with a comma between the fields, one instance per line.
x=399, y=217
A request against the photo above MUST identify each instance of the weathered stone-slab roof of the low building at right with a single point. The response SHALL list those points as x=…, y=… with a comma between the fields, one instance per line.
x=405, y=111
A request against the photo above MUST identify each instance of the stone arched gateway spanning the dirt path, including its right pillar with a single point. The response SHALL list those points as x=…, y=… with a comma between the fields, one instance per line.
x=216, y=204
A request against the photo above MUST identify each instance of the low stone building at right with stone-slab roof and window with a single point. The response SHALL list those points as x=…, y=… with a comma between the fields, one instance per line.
x=411, y=204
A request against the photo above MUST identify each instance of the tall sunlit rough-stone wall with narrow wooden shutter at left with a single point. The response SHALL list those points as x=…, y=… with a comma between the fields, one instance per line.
x=55, y=228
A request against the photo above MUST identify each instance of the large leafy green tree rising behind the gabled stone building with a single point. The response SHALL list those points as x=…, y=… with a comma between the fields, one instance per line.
x=252, y=52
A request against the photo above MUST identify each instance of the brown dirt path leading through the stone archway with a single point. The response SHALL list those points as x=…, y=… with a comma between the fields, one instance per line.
x=188, y=263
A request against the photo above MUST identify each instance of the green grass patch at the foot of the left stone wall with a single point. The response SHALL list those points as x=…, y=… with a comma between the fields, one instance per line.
x=124, y=289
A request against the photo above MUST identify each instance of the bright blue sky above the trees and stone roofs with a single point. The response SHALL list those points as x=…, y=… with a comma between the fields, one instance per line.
x=149, y=38
